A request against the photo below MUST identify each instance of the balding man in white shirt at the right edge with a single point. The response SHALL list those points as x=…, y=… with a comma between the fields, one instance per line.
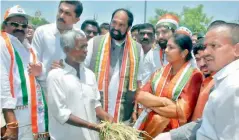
x=220, y=119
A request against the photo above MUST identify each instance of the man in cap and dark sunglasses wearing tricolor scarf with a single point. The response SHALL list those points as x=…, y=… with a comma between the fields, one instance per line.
x=22, y=100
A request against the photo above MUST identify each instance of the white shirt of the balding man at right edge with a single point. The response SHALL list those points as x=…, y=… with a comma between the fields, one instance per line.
x=221, y=113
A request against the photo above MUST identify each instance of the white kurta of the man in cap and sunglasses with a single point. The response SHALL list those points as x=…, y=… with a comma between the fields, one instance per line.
x=7, y=101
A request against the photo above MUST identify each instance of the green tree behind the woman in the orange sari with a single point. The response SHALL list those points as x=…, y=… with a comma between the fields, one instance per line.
x=193, y=18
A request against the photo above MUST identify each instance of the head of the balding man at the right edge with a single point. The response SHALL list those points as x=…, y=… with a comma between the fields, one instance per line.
x=222, y=45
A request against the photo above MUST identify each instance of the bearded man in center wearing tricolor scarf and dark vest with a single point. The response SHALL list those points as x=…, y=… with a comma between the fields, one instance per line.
x=118, y=95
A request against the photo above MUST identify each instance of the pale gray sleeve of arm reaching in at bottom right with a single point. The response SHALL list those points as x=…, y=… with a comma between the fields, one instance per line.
x=187, y=131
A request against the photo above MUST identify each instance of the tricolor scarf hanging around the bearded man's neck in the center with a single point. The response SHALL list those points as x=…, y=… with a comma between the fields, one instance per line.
x=102, y=68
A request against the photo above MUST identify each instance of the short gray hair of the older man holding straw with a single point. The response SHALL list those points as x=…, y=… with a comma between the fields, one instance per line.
x=68, y=38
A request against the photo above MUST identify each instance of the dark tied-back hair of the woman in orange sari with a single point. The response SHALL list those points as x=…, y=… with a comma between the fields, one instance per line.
x=185, y=43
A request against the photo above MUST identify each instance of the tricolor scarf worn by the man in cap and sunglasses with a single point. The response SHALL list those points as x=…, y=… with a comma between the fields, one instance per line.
x=39, y=114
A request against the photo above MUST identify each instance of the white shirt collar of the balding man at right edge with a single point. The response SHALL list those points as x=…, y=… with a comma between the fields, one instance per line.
x=228, y=69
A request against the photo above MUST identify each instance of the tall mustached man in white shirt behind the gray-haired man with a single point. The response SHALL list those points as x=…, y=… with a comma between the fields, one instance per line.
x=46, y=40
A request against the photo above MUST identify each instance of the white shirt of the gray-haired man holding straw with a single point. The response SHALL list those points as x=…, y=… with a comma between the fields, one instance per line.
x=67, y=94
